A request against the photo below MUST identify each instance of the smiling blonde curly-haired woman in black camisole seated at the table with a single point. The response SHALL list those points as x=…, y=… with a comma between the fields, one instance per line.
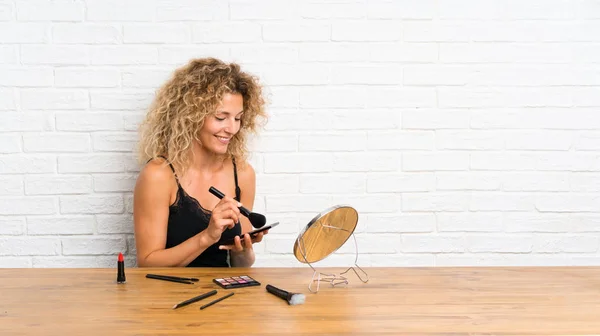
x=194, y=137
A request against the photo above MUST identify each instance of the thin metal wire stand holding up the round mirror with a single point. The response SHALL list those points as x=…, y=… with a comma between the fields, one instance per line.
x=331, y=278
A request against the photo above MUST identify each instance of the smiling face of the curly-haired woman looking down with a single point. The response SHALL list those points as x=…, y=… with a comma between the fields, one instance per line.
x=220, y=127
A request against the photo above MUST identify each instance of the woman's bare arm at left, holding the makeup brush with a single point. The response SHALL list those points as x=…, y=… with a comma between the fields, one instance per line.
x=151, y=200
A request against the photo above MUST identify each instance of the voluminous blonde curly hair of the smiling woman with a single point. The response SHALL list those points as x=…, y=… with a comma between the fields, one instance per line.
x=186, y=99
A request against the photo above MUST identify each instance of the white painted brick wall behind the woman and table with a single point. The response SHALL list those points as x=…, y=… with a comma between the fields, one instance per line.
x=464, y=132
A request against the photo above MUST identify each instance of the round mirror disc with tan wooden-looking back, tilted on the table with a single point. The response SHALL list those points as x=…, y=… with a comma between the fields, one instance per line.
x=325, y=233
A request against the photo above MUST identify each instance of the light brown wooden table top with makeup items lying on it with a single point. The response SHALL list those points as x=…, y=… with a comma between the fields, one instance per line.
x=395, y=301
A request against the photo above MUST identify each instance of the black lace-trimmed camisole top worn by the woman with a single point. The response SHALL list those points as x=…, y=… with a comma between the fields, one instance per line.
x=187, y=218
